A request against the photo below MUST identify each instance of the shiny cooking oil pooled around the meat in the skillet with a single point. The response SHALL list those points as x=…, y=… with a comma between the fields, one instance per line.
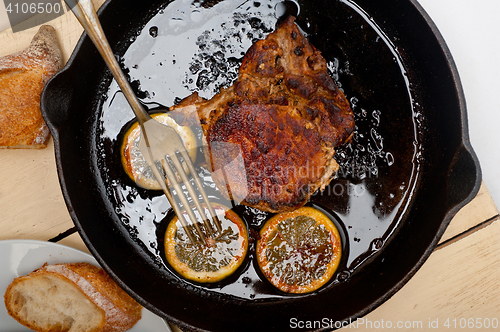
x=198, y=47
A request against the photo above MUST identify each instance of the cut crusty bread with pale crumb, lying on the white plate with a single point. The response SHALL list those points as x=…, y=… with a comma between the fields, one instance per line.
x=76, y=297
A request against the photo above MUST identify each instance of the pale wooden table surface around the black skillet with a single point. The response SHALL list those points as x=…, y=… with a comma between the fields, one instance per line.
x=458, y=284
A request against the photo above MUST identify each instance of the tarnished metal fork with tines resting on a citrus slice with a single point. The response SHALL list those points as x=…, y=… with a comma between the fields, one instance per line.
x=158, y=142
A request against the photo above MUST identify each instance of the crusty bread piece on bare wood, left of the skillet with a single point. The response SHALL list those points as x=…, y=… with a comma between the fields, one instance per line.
x=23, y=76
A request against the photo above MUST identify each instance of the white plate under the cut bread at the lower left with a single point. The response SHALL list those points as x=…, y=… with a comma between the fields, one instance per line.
x=20, y=257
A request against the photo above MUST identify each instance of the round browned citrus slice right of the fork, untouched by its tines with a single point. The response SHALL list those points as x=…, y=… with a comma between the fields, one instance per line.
x=299, y=251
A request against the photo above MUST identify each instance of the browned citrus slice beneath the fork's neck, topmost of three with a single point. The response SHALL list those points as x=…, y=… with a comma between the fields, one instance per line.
x=134, y=163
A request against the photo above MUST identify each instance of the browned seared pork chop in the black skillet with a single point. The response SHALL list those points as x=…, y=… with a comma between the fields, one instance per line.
x=274, y=131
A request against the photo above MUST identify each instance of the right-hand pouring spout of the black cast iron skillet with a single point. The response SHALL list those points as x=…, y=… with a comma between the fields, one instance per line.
x=464, y=178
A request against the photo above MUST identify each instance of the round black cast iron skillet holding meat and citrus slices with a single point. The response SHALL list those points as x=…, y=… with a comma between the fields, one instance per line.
x=412, y=141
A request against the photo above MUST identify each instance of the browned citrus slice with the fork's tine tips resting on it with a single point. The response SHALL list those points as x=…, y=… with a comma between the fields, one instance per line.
x=214, y=260
